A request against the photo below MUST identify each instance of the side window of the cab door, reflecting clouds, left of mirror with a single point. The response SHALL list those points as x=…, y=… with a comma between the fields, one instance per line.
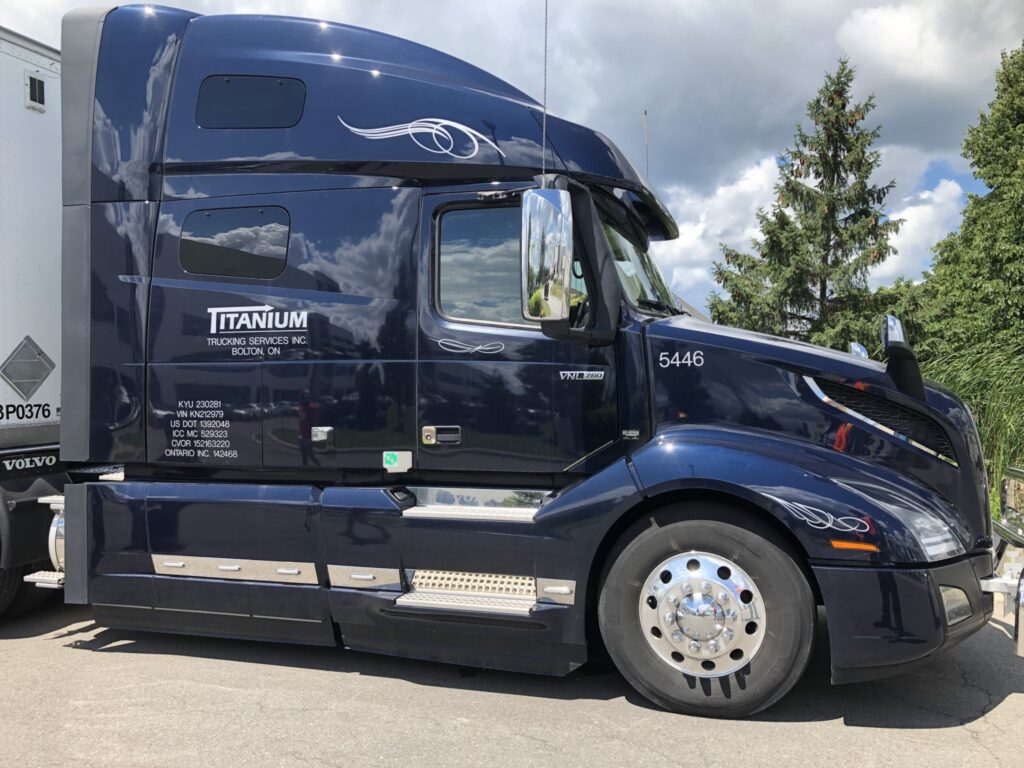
x=480, y=273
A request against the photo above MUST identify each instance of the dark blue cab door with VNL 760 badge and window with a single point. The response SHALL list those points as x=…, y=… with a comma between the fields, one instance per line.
x=495, y=394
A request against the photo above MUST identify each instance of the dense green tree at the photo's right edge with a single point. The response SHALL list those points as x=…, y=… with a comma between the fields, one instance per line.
x=972, y=313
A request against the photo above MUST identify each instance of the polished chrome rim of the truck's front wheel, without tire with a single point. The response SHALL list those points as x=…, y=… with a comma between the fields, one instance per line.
x=703, y=615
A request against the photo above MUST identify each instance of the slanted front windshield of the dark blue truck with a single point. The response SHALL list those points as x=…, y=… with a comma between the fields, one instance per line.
x=643, y=282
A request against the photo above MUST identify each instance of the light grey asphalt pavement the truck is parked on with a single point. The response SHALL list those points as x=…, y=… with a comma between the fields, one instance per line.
x=76, y=695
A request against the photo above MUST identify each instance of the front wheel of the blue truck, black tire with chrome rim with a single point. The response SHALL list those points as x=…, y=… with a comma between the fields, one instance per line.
x=709, y=617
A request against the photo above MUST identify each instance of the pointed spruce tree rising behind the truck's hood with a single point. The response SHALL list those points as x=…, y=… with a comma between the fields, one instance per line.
x=807, y=278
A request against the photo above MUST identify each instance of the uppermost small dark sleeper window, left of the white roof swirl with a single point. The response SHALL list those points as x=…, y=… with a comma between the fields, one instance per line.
x=245, y=102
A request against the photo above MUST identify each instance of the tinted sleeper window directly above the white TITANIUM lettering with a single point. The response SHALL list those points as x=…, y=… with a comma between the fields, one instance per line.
x=236, y=242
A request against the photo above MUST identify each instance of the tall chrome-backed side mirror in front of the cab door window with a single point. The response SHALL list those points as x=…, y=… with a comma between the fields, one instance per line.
x=547, y=254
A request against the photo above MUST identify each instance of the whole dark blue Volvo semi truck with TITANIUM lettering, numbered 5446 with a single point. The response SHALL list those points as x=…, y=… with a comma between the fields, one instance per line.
x=390, y=366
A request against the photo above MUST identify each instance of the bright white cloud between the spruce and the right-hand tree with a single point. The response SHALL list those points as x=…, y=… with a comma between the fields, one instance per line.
x=928, y=218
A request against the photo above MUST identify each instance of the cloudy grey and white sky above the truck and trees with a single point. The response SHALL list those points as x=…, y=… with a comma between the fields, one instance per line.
x=724, y=84
